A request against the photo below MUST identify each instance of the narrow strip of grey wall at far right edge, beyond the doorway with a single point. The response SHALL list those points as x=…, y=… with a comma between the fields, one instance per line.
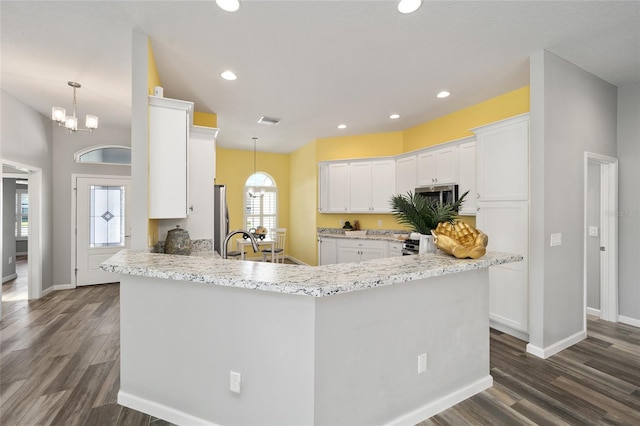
x=629, y=201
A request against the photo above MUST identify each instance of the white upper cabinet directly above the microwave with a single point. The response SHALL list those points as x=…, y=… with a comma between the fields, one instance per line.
x=438, y=166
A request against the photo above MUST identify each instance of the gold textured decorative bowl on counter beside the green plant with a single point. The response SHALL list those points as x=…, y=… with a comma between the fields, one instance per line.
x=460, y=240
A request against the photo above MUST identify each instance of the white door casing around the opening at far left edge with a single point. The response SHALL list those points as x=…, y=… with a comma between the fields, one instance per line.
x=35, y=248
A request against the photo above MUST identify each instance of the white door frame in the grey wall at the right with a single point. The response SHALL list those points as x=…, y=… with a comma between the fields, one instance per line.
x=608, y=235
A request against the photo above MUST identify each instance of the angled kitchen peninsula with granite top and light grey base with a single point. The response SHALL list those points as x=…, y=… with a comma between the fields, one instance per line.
x=328, y=345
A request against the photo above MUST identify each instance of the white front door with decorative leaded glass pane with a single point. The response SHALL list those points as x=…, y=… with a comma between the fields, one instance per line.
x=102, y=226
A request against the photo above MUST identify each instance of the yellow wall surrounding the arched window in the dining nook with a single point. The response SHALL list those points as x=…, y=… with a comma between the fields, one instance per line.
x=233, y=168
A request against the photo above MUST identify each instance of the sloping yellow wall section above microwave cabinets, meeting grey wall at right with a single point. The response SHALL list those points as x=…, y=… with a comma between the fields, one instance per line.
x=458, y=124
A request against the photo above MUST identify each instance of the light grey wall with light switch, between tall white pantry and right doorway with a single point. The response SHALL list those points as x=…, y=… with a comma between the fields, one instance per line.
x=572, y=111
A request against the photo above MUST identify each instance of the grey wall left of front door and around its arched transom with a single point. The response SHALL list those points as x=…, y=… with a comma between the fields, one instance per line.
x=64, y=146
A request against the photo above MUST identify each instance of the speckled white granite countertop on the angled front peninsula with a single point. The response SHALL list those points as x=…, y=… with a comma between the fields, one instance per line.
x=316, y=281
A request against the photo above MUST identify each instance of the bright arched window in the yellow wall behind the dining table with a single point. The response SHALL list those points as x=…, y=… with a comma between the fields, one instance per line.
x=260, y=201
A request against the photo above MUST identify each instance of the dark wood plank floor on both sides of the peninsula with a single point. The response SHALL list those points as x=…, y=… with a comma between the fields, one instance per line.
x=59, y=365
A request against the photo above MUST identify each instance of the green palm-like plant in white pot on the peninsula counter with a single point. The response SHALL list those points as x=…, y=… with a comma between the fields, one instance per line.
x=422, y=215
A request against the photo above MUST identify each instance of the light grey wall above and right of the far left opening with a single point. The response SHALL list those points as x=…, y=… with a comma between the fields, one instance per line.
x=27, y=139
